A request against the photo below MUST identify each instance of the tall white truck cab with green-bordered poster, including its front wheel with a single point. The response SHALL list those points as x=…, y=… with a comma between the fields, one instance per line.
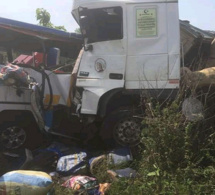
x=131, y=49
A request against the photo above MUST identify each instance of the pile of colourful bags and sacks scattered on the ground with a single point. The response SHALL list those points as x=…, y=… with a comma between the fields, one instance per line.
x=69, y=167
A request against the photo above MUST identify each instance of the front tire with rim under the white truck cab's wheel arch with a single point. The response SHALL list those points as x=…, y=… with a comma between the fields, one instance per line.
x=122, y=127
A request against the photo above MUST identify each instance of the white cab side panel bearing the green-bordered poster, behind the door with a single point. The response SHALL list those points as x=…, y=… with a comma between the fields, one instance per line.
x=147, y=55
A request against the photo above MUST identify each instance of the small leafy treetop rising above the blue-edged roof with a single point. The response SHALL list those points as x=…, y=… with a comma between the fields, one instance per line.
x=44, y=18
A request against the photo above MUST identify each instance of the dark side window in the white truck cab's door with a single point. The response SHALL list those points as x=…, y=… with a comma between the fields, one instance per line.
x=102, y=24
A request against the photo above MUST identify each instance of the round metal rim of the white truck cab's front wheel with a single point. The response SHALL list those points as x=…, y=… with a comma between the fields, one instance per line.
x=127, y=132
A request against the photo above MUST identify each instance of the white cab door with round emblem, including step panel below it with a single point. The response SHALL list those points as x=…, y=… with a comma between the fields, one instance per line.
x=102, y=68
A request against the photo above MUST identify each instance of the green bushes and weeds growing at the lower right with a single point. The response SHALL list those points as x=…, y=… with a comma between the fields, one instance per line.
x=177, y=158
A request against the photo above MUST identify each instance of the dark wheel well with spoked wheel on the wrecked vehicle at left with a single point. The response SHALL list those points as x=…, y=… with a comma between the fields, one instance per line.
x=19, y=129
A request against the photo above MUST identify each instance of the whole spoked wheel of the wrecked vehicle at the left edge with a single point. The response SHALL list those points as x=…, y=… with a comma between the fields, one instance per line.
x=12, y=136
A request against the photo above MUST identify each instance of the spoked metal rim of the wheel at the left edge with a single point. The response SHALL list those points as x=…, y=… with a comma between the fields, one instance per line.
x=13, y=137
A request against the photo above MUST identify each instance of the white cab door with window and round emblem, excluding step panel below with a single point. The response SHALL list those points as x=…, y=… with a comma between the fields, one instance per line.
x=104, y=32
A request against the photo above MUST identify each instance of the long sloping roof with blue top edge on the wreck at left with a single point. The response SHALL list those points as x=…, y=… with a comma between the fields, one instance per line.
x=24, y=36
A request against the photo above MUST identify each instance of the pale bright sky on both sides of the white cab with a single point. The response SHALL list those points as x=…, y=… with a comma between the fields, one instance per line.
x=200, y=13
